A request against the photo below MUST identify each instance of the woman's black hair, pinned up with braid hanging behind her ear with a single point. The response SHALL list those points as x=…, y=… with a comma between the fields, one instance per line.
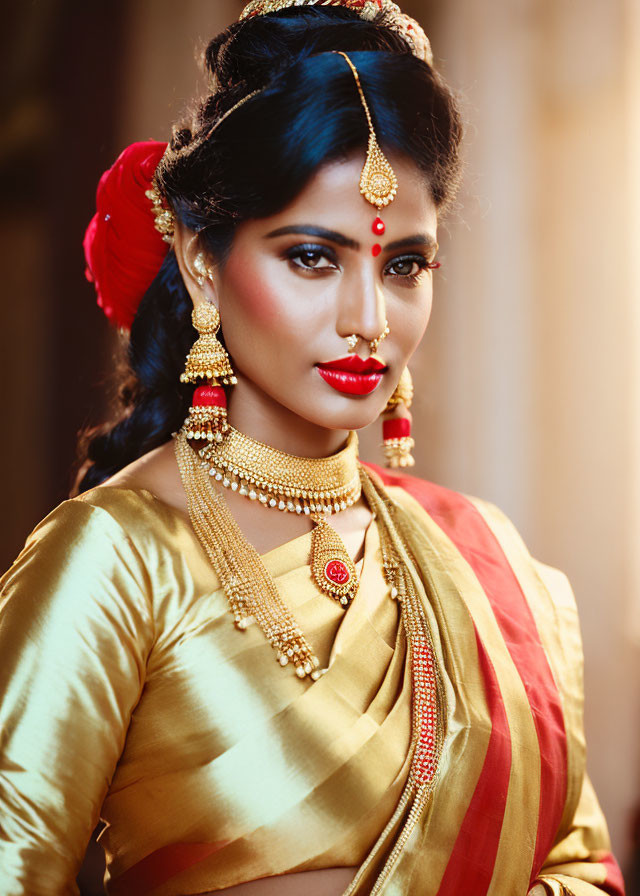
x=306, y=112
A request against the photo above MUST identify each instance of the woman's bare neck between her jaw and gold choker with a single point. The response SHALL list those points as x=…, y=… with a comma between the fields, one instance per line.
x=259, y=416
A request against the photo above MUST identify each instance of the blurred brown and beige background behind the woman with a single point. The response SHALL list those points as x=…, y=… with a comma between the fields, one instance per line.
x=528, y=381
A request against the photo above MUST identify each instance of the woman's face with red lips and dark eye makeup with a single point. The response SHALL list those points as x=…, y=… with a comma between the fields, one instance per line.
x=297, y=284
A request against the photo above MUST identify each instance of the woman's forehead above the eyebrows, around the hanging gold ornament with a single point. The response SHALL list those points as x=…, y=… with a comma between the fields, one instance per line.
x=332, y=196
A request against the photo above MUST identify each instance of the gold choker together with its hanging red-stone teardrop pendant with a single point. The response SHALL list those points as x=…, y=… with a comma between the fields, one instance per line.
x=316, y=487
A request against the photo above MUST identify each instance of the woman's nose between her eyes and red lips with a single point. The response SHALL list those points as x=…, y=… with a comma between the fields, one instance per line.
x=361, y=306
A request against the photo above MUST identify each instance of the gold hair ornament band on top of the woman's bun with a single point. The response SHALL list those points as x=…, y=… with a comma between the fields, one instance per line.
x=408, y=29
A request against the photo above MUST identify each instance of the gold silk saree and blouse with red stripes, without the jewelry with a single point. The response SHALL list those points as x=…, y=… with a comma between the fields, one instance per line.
x=128, y=695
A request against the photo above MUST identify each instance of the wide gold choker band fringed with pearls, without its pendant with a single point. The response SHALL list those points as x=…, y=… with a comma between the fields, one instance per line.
x=308, y=485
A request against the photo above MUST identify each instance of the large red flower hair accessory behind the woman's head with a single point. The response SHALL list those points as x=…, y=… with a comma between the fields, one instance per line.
x=123, y=249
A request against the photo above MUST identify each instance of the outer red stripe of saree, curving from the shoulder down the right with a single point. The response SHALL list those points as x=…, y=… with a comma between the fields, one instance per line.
x=464, y=525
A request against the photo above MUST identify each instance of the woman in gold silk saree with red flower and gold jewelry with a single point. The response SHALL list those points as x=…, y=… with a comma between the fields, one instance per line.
x=364, y=685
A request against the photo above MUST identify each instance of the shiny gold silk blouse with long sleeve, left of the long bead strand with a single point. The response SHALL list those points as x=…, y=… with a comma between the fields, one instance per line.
x=148, y=708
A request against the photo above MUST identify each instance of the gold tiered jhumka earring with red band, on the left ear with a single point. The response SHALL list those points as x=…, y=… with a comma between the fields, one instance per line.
x=207, y=363
